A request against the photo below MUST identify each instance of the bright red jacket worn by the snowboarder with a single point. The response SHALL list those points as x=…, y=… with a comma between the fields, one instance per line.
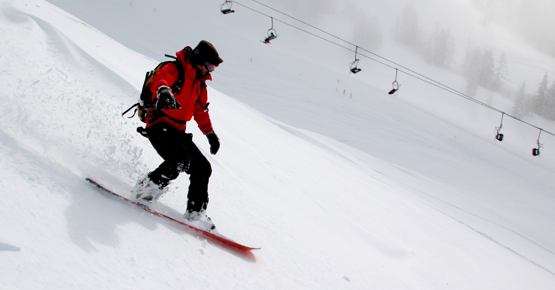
x=192, y=97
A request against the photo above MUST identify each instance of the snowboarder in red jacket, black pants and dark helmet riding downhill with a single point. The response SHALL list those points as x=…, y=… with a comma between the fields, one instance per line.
x=166, y=130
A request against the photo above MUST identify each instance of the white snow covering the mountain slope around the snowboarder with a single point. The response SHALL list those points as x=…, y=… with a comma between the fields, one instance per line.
x=341, y=185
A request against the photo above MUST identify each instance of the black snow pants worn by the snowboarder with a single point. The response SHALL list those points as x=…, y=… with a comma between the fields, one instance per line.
x=180, y=154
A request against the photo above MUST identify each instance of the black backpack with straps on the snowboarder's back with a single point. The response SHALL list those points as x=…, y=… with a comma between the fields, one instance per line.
x=145, y=108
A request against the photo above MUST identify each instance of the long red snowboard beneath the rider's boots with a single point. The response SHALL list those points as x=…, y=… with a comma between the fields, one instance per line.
x=207, y=234
